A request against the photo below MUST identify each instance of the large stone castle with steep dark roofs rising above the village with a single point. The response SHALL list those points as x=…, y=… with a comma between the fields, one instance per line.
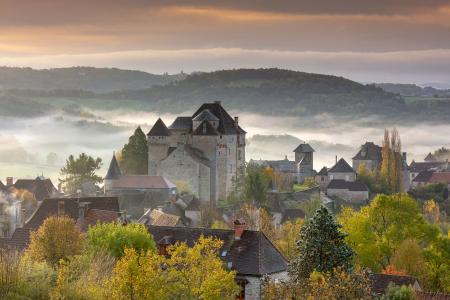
x=205, y=150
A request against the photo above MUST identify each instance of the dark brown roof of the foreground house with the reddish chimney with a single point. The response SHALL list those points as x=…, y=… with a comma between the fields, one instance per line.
x=252, y=255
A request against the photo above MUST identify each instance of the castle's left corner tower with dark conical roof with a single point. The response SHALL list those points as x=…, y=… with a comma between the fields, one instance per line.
x=158, y=146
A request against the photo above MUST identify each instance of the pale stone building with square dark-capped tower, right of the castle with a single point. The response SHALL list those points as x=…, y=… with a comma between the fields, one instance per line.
x=300, y=169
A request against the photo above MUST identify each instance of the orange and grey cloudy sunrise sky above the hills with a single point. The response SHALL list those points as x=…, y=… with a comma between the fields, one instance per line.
x=364, y=40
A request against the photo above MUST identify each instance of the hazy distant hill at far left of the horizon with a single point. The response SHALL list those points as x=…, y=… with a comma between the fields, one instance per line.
x=81, y=78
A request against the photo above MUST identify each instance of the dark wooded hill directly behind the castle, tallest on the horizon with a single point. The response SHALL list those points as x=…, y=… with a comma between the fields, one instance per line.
x=272, y=91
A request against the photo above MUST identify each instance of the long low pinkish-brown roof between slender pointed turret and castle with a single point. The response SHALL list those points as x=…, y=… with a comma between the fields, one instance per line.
x=142, y=182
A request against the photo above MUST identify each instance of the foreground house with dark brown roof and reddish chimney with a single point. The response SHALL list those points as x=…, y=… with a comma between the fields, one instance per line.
x=249, y=253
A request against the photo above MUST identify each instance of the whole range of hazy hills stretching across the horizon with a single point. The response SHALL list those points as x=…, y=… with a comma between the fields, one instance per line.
x=263, y=91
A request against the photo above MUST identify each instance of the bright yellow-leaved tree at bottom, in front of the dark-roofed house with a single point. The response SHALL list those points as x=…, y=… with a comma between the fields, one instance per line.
x=186, y=273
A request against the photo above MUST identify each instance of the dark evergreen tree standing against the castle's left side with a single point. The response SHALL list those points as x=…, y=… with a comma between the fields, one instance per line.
x=134, y=159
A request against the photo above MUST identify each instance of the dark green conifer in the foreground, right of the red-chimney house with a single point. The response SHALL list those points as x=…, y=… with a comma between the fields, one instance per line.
x=321, y=248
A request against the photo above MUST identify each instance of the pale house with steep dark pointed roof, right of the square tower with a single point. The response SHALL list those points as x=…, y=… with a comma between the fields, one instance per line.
x=342, y=183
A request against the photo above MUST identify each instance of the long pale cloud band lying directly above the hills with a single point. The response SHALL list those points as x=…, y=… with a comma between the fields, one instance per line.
x=396, y=66
